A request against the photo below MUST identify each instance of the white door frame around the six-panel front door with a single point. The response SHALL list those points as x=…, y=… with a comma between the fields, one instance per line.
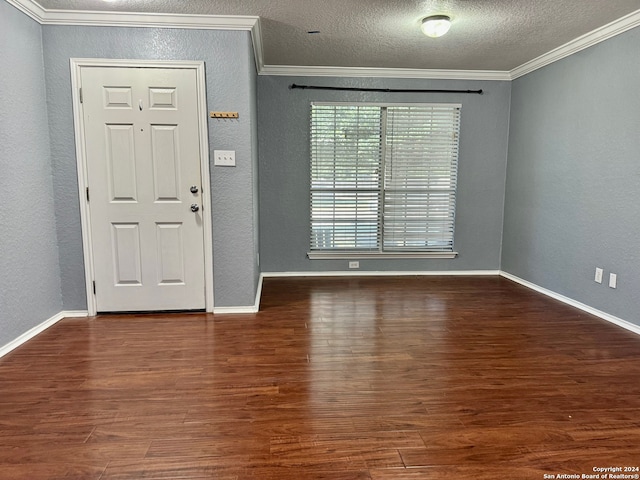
x=81, y=157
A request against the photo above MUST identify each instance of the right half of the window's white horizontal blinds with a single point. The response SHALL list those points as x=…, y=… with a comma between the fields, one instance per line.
x=420, y=174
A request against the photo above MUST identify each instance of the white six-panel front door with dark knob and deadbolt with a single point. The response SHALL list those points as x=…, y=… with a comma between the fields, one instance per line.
x=142, y=148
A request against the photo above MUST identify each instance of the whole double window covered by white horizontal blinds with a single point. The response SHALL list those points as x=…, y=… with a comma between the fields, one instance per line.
x=383, y=179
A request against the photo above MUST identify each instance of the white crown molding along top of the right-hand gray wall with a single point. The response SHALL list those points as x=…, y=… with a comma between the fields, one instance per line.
x=594, y=37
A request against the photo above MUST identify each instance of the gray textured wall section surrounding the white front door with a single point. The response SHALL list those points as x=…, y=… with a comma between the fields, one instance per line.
x=230, y=85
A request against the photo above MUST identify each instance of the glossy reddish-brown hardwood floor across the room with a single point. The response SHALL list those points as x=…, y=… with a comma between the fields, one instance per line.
x=336, y=379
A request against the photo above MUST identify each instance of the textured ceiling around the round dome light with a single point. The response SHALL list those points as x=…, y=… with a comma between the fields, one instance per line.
x=485, y=34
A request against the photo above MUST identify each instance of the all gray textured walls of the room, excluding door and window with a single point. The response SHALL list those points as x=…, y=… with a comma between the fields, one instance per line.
x=572, y=181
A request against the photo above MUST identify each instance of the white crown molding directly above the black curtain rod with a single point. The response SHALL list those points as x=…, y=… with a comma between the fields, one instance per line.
x=319, y=71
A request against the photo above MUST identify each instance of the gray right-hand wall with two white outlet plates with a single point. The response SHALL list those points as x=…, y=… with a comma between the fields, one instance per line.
x=573, y=179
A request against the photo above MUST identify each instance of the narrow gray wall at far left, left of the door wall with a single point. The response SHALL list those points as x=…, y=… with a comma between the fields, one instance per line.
x=29, y=270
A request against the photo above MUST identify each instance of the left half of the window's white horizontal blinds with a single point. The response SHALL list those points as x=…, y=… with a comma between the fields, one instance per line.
x=345, y=177
